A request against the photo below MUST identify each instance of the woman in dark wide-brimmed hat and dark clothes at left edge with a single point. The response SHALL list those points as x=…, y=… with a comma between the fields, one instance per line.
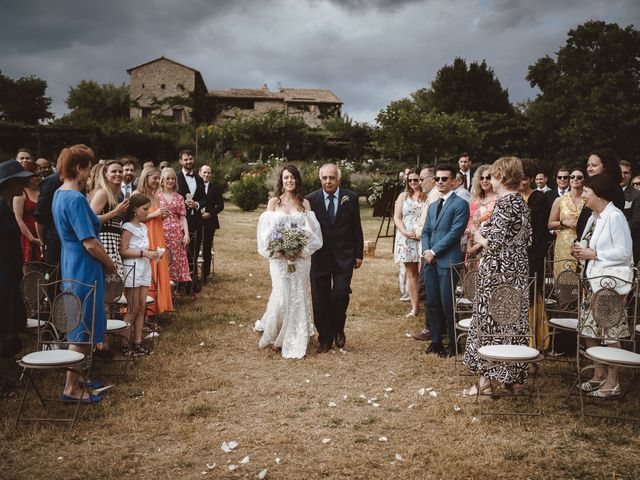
x=13, y=179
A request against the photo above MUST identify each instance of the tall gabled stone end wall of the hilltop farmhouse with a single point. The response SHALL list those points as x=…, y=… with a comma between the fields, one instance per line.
x=161, y=79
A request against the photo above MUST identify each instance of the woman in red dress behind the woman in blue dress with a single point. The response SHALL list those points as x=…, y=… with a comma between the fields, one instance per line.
x=23, y=208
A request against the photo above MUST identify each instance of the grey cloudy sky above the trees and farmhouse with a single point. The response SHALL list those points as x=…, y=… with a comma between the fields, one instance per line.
x=368, y=52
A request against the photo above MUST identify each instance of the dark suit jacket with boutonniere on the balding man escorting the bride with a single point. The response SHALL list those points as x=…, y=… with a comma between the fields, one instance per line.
x=343, y=241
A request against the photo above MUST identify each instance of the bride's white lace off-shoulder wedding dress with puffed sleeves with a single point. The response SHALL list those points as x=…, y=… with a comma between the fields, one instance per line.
x=288, y=321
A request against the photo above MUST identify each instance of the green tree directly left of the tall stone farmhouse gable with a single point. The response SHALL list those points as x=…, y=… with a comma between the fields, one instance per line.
x=91, y=101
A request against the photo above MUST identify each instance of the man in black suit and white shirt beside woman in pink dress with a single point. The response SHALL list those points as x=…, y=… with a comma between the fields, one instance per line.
x=191, y=187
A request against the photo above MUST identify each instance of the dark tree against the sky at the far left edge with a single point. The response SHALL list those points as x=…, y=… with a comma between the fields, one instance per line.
x=24, y=100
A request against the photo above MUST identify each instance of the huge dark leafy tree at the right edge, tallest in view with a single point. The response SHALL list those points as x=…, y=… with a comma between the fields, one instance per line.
x=590, y=94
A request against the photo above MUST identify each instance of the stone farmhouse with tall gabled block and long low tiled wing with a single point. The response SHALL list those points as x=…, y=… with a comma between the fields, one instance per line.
x=163, y=86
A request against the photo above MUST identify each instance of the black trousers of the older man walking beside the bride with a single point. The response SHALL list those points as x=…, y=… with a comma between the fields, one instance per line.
x=330, y=294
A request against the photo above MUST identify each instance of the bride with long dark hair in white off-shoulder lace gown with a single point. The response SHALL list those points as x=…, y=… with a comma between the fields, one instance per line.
x=288, y=323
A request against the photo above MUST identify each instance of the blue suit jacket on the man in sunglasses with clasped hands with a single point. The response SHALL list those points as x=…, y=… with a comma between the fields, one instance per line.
x=442, y=234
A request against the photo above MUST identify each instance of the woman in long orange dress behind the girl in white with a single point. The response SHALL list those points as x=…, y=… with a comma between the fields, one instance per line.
x=148, y=185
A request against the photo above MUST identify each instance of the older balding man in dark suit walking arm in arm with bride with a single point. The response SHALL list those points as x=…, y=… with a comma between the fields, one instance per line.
x=332, y=266
